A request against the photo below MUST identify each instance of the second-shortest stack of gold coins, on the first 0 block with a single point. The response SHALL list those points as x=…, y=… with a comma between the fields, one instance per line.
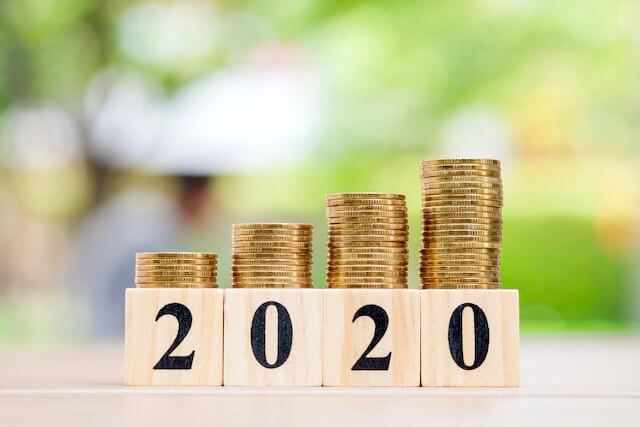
x=272, y=255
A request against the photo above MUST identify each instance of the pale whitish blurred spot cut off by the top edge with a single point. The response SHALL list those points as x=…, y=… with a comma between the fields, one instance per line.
x=168, y=34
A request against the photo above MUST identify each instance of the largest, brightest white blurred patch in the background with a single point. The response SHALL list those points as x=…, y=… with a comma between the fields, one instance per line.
x=248, y=118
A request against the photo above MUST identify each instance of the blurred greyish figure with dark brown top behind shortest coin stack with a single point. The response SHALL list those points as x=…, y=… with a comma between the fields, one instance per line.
x=138, y=219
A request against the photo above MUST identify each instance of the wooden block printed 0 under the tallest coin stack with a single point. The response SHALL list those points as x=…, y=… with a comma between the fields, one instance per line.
x=470, y=338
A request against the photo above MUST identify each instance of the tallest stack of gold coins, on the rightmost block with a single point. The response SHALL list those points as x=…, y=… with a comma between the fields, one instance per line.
x=462, y=224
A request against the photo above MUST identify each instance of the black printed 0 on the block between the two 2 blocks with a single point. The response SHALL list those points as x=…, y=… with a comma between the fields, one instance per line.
x=258, y=332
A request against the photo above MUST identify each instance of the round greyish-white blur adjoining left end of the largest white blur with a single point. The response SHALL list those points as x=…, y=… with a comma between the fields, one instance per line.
x=124, y=113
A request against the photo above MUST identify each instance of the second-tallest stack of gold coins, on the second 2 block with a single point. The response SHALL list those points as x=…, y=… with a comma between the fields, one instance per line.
x=368, y=235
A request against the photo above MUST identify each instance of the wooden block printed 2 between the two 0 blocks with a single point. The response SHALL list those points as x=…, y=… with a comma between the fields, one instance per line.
x=371, y=337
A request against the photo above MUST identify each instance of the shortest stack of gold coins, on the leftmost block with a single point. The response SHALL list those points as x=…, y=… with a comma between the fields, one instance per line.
x=176, y=270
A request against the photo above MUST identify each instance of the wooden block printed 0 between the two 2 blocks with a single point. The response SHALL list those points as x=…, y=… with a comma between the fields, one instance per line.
x=274, y=337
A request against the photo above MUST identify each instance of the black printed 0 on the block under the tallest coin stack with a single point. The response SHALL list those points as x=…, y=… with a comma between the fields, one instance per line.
x=481, y=335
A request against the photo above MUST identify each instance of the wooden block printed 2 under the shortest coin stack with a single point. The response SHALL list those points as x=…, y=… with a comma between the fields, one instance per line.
x=173, y=337
